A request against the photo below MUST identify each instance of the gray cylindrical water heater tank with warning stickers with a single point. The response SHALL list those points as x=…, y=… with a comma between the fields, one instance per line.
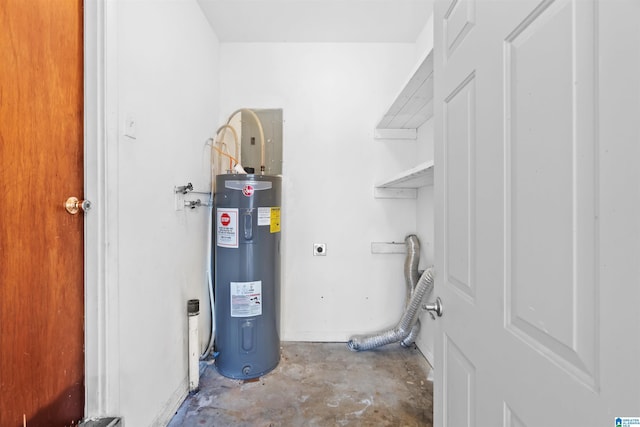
x=247, y=274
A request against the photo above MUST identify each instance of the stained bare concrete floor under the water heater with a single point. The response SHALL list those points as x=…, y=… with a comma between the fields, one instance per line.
x=319, y=384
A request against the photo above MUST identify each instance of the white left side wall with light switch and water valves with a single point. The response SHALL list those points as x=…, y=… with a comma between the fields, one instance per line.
x=167, y=67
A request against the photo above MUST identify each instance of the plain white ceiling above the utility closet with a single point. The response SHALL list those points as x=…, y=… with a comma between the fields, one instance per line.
x=317, y=20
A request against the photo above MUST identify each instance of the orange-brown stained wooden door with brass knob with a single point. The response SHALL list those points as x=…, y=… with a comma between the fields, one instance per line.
x=41, y=245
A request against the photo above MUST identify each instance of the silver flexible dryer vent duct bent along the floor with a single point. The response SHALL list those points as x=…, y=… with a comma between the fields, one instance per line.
x=409, y=325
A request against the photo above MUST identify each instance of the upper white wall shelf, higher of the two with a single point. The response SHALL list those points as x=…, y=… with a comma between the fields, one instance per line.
x=414, y=104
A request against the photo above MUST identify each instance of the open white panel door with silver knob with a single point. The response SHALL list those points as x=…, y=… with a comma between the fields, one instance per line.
x=537, y=193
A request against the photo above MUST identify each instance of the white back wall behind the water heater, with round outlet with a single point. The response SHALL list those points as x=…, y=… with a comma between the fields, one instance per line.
x=332, y=96
